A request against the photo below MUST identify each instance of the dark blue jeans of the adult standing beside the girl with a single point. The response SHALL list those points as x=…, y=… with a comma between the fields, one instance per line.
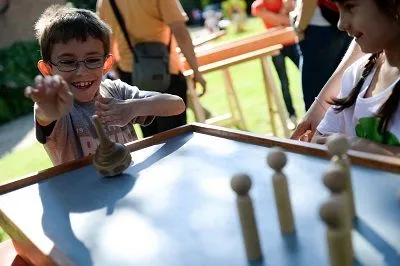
x=322, y=48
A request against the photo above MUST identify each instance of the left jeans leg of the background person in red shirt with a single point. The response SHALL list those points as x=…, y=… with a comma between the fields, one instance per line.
x=280, y=66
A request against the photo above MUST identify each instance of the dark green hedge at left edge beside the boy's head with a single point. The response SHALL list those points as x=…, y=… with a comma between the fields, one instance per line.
x=17, y=70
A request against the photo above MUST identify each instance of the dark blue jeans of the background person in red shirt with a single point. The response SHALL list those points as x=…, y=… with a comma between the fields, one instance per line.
x=293, y=52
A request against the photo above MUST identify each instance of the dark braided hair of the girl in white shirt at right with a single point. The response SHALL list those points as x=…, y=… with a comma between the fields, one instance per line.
x=387, y=110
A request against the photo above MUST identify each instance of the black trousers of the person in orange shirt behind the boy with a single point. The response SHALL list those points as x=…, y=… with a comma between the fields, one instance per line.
x=177, y=87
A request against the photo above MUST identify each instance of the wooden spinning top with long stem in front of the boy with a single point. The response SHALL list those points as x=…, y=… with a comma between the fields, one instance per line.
x=111, y=158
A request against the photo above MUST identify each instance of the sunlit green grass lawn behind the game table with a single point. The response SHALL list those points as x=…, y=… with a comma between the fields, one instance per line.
x=247, y=78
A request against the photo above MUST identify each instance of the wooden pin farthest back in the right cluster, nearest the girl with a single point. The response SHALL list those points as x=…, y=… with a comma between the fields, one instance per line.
x=338, y=146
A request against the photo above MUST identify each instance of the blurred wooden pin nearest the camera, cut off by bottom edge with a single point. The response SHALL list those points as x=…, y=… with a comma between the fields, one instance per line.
x=337, y=234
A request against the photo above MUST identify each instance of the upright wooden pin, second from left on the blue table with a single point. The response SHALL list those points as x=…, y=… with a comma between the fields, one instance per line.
x=276, y=159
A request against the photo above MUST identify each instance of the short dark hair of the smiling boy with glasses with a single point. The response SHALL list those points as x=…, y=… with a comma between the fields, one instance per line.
x=60, y=24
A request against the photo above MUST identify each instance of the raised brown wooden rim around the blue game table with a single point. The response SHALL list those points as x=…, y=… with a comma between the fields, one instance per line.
x=390, y=164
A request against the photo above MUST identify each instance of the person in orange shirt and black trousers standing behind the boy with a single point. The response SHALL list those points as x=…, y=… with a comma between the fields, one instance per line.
x=153, y=20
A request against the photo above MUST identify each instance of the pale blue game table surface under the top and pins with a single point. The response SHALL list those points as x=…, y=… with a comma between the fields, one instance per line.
x=174, y=206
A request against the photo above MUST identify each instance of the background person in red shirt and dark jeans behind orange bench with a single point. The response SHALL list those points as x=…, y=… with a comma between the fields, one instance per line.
x=275, y=13
